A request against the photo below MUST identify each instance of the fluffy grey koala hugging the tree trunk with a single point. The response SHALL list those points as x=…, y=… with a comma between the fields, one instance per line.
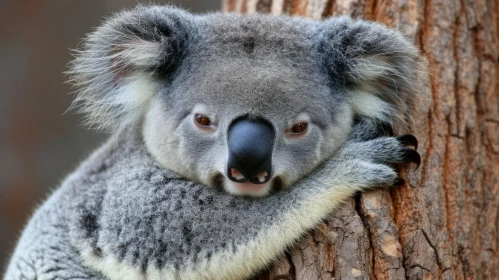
x=232, y=136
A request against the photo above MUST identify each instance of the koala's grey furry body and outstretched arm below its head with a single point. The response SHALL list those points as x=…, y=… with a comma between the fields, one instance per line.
x=121, y=203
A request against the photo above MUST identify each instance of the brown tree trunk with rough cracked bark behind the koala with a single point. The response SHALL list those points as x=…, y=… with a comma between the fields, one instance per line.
x=443, y=223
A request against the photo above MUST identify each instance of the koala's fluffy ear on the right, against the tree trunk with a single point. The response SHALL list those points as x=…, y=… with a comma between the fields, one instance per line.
x=377, y=66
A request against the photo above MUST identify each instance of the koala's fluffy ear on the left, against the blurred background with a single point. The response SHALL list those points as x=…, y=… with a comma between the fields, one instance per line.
x=116, y=70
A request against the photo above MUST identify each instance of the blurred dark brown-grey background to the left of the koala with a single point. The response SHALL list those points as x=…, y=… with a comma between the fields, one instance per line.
x=39, y=144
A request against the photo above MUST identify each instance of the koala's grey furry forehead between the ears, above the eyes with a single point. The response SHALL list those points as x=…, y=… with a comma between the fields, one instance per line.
x=260, y=65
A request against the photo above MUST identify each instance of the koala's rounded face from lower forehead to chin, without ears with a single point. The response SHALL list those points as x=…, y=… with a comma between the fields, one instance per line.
x=247, y=125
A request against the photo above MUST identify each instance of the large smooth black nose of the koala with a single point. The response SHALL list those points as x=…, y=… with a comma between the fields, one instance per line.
x=251, y=143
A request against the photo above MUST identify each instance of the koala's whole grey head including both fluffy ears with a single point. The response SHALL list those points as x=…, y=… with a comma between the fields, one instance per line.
x=246, y=103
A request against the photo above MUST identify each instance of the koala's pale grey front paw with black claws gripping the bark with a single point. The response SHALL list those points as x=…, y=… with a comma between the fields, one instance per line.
x=375, y=159
